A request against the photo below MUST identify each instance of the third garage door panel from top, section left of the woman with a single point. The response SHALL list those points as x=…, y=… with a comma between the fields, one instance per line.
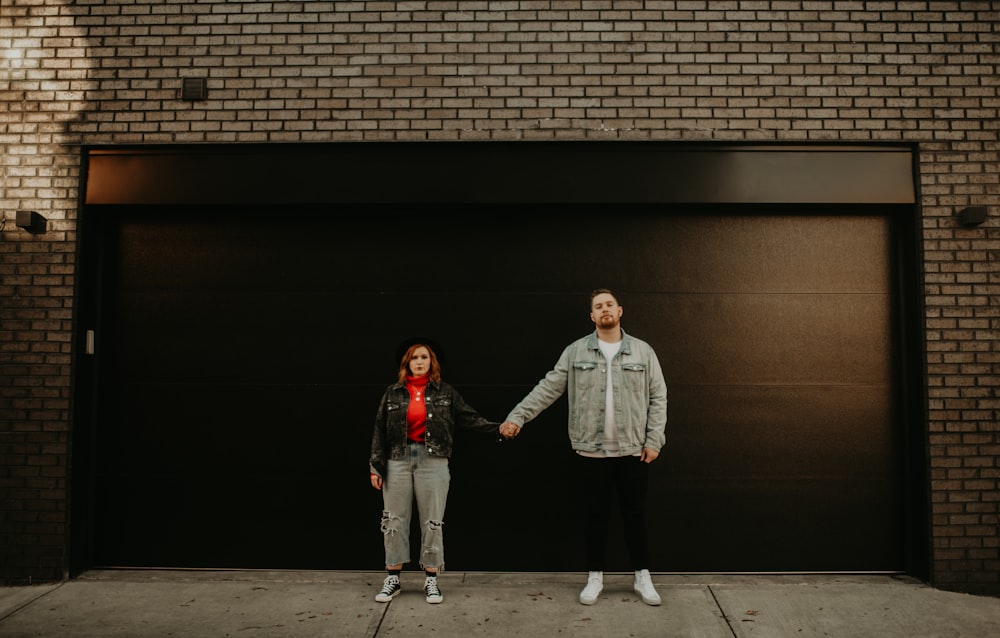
x=243, y=429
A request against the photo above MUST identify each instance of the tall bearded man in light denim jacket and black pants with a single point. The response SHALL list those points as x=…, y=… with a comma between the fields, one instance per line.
x=617, y=421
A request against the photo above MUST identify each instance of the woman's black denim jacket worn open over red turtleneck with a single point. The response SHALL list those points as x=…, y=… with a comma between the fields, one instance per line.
x=445, y=409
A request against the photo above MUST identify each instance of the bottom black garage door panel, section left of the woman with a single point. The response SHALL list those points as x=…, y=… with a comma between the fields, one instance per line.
x=235, y=521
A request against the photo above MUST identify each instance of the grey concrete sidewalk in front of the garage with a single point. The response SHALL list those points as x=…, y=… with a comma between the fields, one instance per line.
x=190, y=604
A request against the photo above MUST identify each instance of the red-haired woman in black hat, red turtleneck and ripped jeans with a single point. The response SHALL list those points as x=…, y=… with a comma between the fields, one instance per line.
x=413, y=439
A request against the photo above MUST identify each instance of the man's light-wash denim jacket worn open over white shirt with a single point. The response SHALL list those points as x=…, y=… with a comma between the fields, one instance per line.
x=640, y=395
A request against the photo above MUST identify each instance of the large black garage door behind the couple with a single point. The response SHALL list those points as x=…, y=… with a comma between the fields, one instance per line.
x=241, y=348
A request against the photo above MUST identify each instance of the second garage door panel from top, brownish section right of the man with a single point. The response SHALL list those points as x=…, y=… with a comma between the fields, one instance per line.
x=800, y=338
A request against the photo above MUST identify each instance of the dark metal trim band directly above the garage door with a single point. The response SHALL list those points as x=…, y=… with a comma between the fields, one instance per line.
x=458, y=172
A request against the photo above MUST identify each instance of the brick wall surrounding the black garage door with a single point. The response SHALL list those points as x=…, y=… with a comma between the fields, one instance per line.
x=106, y=72
